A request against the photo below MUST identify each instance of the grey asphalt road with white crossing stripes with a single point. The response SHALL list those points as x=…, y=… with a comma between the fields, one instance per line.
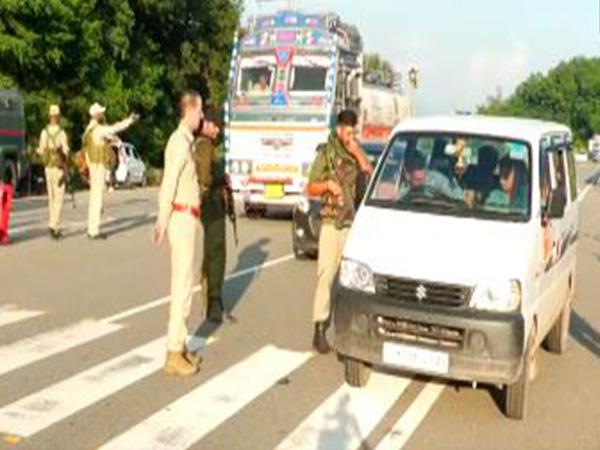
x=82, y=327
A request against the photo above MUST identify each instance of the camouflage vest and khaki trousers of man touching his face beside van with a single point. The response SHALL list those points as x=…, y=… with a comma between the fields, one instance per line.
x=333, y=162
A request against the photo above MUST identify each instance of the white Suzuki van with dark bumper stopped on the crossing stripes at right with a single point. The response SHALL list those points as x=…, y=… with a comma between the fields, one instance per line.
x=461, y=261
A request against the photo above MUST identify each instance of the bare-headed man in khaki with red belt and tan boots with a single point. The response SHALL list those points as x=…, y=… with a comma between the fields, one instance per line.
x=179, y=218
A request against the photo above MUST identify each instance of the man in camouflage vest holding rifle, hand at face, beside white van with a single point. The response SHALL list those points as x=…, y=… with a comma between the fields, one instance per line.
x=334, y=177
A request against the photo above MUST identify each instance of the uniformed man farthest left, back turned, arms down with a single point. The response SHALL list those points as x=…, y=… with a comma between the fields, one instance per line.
x=54, y=150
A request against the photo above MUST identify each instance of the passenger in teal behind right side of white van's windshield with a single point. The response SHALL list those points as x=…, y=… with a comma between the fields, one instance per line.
x=513, y=185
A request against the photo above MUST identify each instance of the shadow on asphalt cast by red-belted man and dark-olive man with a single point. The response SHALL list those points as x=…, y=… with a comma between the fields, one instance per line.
x=253, y=255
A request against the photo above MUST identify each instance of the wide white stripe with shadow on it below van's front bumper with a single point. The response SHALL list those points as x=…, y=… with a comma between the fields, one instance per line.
x=348, y=416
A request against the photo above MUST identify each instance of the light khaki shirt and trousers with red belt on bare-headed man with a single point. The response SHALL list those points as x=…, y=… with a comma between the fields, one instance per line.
x=180, y=187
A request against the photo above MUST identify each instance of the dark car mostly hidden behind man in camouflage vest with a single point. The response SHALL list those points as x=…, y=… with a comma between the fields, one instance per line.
x=306, y=216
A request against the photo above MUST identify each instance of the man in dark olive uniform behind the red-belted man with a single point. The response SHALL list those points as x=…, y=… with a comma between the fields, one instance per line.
x=210, y=165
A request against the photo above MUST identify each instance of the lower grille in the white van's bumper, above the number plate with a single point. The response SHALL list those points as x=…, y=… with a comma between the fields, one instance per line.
x=420, y=332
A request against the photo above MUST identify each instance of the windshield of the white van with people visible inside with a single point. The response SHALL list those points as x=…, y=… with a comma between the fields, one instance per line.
x=468, y=175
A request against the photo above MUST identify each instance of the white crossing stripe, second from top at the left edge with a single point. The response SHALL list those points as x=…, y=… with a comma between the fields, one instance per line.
x=29, y=350
